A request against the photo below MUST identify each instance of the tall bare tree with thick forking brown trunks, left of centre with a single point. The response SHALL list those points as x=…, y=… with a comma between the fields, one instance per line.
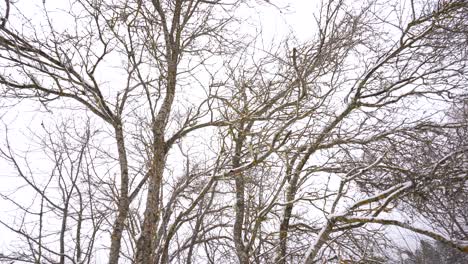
x=150, y=38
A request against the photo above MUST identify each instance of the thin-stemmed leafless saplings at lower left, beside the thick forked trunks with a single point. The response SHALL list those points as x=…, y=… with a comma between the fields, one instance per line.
x=69, y=204
